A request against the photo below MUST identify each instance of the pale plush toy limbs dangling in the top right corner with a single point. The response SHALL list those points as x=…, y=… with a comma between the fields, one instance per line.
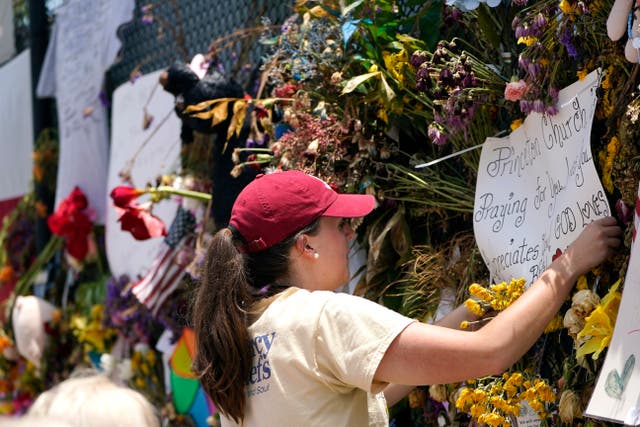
x=625, y=18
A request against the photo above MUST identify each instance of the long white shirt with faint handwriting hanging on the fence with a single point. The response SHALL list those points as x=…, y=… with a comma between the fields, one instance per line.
x=83, y=44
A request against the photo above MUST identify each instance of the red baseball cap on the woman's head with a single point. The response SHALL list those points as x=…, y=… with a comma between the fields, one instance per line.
x=275, y=206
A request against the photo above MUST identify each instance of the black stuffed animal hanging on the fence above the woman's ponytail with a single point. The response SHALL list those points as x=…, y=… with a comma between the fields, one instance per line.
x=187, y=87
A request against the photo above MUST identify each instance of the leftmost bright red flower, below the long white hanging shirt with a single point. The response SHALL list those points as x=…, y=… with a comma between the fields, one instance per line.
x=72, y=222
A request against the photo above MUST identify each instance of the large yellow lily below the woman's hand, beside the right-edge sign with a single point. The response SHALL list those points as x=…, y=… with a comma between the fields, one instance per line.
x=597, y=331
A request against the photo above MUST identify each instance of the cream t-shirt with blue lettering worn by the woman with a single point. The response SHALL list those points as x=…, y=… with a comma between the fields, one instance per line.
x=315, y=356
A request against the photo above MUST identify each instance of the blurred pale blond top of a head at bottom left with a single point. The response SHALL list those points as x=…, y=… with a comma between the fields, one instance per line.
x=94, y=401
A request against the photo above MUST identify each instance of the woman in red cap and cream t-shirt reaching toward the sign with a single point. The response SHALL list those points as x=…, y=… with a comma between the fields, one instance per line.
x=276, y=347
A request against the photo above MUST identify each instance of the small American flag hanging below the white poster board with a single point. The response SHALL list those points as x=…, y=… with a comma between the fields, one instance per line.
x=168, y=266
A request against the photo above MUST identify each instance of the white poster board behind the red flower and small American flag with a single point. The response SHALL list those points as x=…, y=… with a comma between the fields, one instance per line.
x=159, y=155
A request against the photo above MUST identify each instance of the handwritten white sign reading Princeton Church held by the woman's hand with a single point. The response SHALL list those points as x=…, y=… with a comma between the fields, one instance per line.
x=538, y=187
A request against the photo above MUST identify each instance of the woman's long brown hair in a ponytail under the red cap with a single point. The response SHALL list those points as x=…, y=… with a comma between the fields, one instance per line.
x=231, y=283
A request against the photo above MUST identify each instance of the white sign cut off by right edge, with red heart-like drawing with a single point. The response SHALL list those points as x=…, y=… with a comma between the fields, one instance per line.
x=616, y=396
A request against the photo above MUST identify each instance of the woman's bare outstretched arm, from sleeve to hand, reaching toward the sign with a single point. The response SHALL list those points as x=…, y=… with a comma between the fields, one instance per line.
x=429, y=354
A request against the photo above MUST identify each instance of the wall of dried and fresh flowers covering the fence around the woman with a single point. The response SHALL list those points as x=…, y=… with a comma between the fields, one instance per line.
x=359, y=94
